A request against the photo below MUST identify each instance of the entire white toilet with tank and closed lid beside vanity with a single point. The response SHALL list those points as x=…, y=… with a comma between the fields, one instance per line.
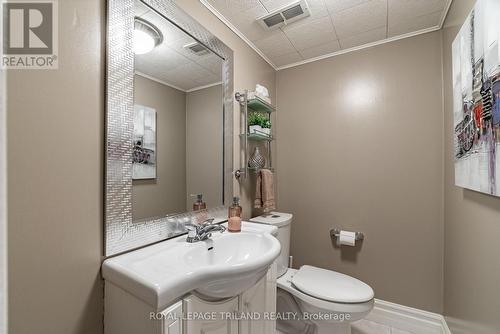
x=314, y=300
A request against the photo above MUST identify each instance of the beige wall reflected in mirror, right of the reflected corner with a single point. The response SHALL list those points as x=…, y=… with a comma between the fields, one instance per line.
x=204, y=145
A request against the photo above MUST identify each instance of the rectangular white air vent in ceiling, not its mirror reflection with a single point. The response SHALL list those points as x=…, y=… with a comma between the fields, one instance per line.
x=285, y=15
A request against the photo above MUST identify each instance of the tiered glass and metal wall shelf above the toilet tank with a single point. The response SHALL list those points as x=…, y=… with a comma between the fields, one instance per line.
x=249, y=102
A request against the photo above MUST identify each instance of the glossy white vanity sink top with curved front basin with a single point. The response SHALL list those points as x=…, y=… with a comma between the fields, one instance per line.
x=221, y=267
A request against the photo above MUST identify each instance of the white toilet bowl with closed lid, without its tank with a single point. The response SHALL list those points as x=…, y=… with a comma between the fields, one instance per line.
x=321, y=308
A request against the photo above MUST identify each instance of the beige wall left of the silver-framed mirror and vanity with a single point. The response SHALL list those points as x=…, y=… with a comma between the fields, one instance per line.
x=55, y=168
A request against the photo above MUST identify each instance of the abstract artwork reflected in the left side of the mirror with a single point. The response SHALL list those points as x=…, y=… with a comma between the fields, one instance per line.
x=144, y=153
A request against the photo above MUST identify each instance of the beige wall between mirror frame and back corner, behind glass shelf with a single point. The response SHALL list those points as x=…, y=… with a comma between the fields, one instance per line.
x=249, y=69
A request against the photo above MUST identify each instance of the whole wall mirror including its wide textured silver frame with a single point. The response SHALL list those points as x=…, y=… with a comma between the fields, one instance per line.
x=169, y=131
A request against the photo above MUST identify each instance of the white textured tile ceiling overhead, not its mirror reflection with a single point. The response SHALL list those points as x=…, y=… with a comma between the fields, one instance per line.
x=333, y=27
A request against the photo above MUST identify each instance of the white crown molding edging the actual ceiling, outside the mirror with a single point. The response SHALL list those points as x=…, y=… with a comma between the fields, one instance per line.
x=333, y=54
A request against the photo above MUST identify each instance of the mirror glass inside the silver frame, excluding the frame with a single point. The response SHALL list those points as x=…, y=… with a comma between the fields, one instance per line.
x=178, y=121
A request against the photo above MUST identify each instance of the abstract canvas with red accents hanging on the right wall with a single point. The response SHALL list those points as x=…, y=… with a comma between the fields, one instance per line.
x=476, y=99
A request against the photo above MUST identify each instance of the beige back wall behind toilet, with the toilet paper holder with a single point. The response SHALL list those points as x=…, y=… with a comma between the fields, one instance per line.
x=360, y=147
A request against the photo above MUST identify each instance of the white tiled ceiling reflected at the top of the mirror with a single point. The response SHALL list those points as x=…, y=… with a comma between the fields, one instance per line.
x=170, y=62
